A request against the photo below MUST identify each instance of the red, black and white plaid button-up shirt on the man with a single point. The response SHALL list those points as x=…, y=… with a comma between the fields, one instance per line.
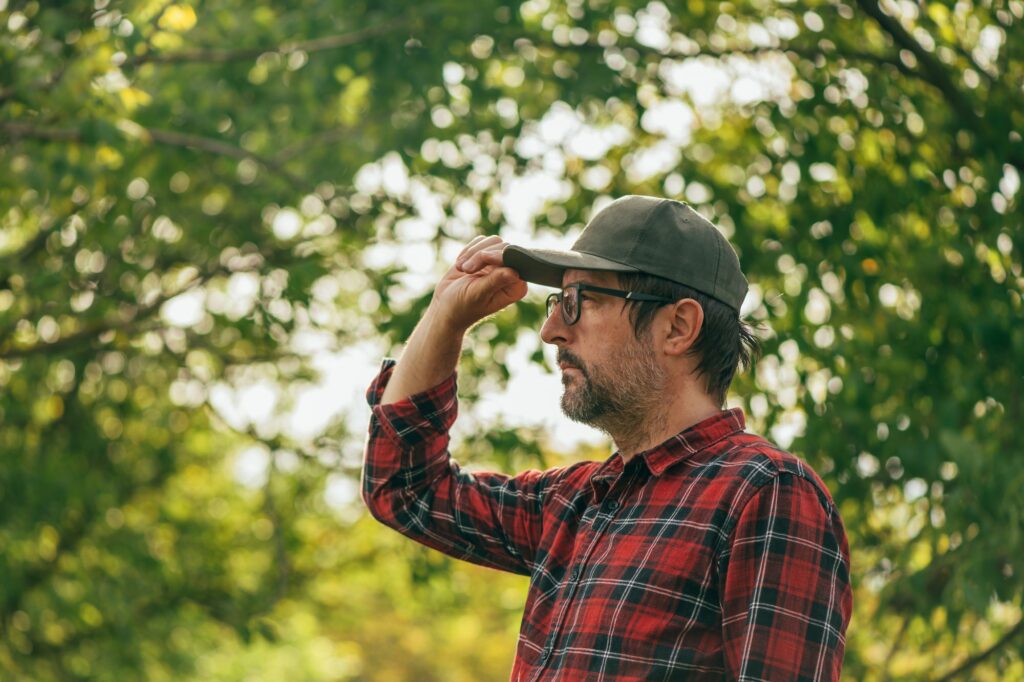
x=715, y=556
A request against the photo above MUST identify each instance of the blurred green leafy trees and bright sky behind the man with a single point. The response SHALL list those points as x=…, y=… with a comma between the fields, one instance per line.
x=218, y=217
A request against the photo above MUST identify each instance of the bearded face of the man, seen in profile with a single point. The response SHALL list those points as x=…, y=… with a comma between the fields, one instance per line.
x=609, y=375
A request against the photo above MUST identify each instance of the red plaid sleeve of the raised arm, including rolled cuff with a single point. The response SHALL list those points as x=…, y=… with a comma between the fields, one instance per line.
x=411, y=484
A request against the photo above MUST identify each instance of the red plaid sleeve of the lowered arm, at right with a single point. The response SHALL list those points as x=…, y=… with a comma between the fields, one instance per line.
x=786, y=580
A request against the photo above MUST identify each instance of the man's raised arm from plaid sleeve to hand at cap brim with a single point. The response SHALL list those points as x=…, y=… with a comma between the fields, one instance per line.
x=410, y=483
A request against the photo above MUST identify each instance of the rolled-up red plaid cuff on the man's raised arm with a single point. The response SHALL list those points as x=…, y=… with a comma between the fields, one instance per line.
x=417, y=418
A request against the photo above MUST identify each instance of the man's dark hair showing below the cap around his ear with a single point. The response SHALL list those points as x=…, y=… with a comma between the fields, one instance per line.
x=724, y=344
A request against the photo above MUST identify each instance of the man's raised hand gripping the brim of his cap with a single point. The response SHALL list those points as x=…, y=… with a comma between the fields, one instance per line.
x=479, y=285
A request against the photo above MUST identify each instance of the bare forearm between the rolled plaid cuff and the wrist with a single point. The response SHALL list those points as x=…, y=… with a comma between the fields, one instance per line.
x=432, y=356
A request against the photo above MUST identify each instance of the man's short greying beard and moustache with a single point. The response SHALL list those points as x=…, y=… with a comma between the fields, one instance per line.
x=619, y=398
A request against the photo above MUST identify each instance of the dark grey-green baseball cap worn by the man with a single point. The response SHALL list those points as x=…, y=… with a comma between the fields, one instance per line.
x=634, y=234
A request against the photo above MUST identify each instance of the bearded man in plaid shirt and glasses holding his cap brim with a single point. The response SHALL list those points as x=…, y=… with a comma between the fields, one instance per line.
x=697, y=551
